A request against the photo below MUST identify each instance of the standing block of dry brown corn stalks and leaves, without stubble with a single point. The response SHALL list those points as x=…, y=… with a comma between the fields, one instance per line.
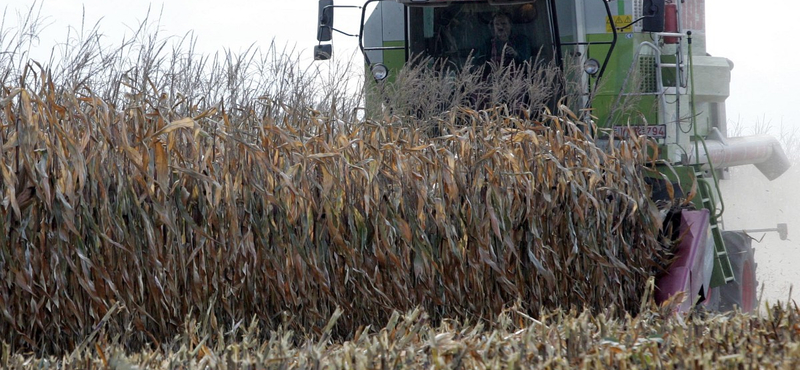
x=128, y=219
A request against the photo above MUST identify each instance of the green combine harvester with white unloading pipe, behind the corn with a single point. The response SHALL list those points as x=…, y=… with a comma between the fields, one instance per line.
x=645, y=71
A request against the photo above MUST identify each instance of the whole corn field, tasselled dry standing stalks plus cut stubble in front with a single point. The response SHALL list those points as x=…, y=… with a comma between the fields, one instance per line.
x=166, y=210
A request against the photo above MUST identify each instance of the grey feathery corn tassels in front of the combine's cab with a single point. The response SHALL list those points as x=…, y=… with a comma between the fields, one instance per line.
x=429, y=89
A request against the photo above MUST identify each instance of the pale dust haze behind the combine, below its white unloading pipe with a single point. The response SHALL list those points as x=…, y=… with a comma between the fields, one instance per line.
x=753, y=202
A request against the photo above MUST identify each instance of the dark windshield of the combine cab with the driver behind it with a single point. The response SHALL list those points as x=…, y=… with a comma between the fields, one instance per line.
x=481, y=34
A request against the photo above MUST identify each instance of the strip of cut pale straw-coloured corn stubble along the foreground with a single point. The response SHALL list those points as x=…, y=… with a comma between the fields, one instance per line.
x=559, y=340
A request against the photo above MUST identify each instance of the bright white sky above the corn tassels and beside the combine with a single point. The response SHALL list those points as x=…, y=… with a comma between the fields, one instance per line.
x=754, y=35
